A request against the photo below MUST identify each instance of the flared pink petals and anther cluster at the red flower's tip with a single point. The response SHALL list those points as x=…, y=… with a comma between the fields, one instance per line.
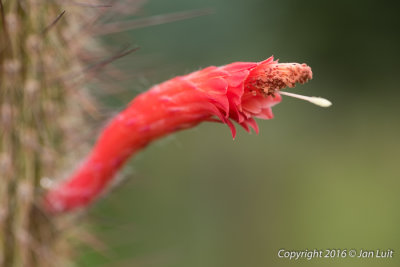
x=258, y=92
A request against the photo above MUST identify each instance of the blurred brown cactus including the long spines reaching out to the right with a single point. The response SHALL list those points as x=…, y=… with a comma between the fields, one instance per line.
x=47, y=55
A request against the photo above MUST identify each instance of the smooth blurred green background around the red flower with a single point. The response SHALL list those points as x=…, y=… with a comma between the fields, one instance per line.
x=313, y=177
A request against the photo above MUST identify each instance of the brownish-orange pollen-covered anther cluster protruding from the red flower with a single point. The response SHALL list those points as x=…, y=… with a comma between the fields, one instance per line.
x=270, y=78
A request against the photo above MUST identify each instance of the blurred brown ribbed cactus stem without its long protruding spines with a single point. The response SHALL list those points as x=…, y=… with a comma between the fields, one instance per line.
x=40, y=112
